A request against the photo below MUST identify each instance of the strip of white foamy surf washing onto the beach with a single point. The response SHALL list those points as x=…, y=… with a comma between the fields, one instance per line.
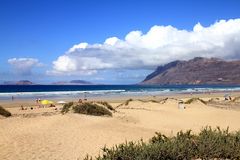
x=147, y=91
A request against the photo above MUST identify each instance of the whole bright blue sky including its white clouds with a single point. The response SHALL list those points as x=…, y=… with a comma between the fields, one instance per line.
x=111, y=41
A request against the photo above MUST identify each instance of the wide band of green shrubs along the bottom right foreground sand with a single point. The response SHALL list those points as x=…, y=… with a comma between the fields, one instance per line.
x=208, y=144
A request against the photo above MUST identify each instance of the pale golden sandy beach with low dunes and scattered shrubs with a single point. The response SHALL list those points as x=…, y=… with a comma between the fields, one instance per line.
x=44, y=133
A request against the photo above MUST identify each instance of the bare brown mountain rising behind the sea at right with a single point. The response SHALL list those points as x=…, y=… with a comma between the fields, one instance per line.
x=196, y=71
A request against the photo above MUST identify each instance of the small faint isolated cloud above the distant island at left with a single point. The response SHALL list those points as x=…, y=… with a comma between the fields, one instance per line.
x=24, y=66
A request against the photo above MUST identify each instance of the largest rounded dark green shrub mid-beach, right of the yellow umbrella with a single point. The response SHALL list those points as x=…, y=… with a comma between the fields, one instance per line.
x=91, y=109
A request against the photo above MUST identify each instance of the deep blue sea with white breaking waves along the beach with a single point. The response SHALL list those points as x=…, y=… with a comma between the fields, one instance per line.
x=84, y=91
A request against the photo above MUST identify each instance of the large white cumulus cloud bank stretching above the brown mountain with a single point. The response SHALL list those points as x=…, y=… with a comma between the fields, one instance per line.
x=159, y=45
